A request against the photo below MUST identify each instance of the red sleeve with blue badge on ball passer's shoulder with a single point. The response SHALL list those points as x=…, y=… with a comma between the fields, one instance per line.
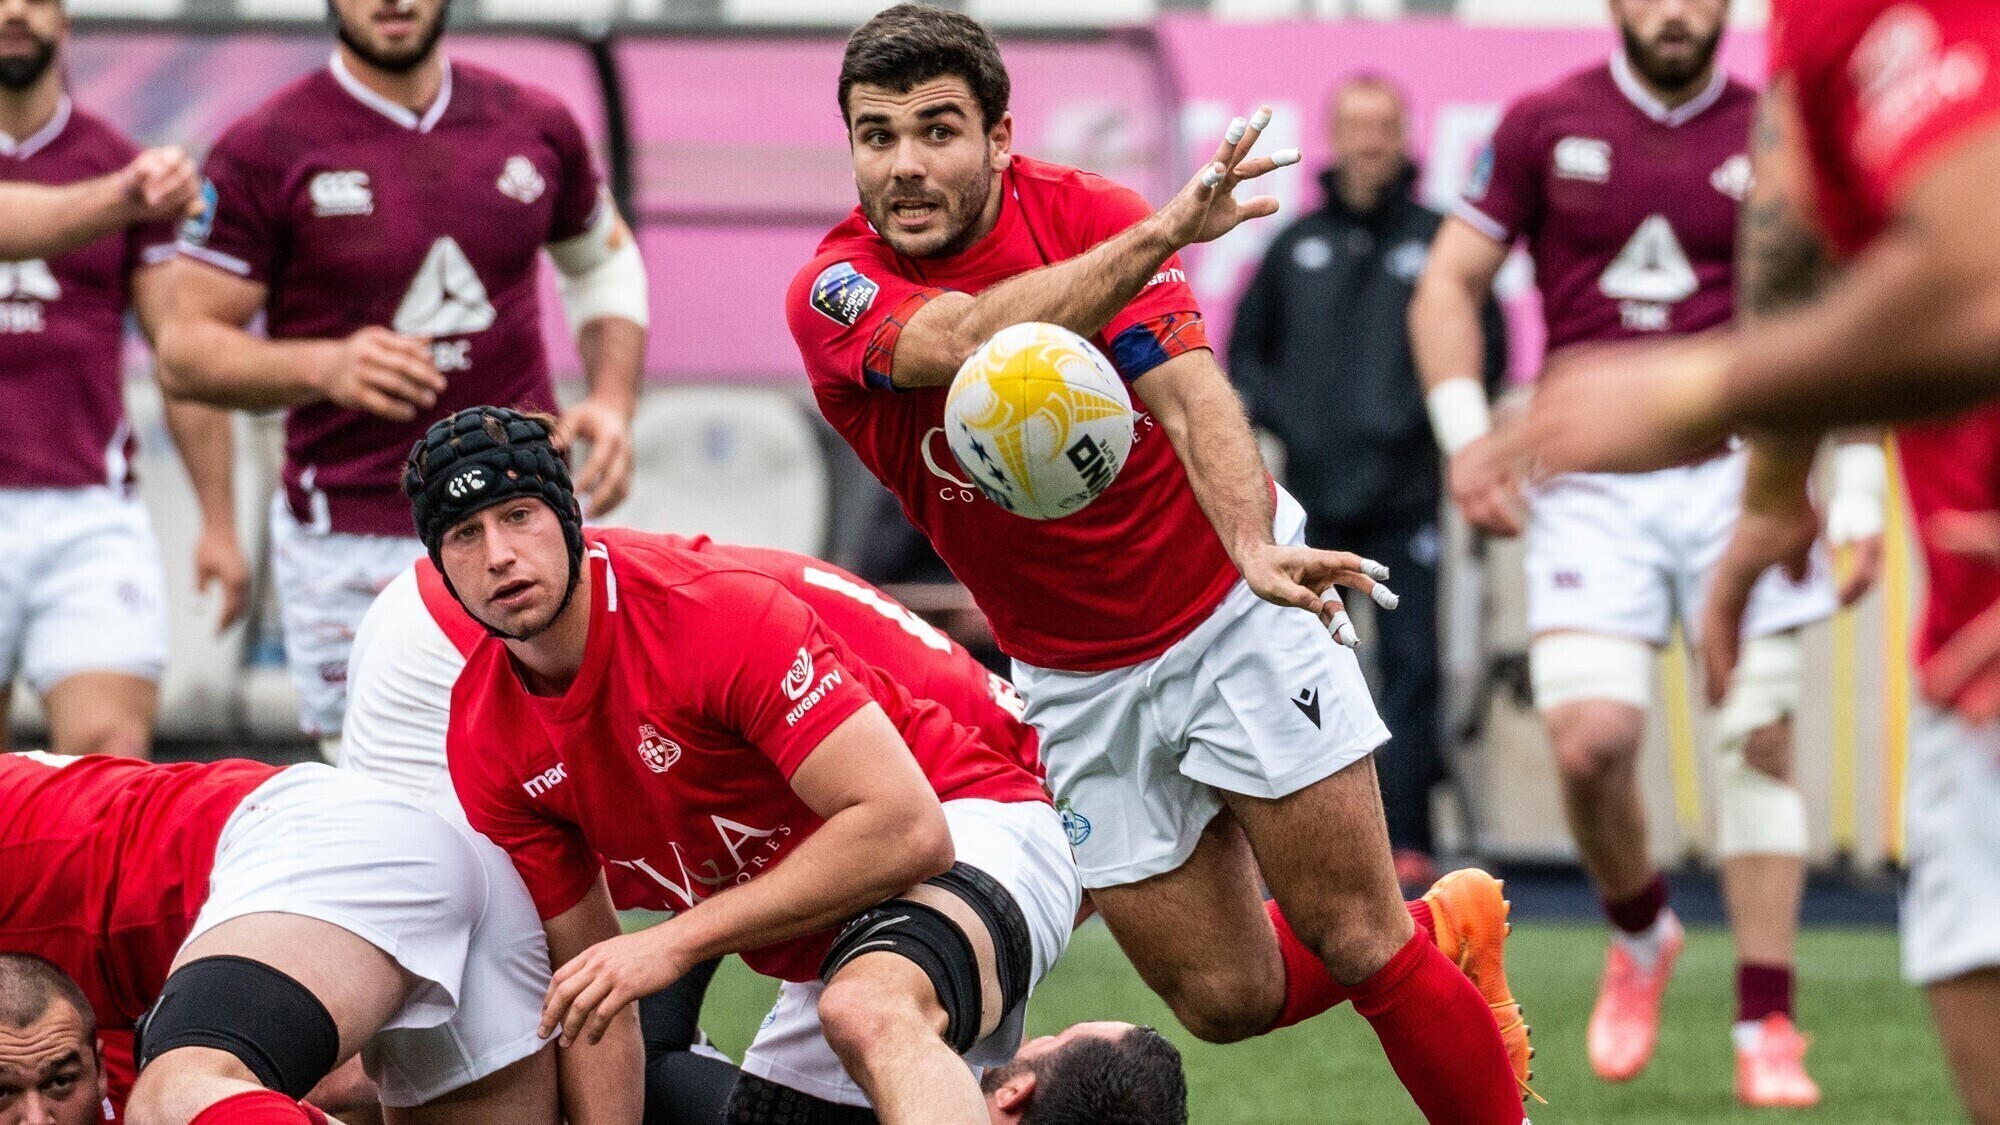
x=847, y=311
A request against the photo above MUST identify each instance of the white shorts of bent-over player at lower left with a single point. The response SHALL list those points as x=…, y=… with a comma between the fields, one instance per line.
x=443, y=902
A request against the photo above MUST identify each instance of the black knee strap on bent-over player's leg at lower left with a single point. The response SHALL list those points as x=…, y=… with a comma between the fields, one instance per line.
x=273, y=1024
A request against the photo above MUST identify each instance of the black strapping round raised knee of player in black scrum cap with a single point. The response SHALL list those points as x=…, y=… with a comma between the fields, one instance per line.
x=933, y=942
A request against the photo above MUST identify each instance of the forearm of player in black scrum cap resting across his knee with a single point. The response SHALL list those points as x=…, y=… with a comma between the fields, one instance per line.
x=859, y=858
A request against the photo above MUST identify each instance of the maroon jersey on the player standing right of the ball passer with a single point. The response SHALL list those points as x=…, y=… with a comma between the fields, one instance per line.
x=1627, y=207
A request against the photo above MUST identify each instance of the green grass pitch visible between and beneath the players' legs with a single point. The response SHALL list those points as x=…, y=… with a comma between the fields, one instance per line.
x=1875, y=1052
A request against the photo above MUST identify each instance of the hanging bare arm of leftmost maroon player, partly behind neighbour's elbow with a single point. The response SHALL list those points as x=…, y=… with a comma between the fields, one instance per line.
x=209, y=451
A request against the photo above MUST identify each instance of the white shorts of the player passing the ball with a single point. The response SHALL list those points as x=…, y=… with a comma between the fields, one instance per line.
x=1259, y=700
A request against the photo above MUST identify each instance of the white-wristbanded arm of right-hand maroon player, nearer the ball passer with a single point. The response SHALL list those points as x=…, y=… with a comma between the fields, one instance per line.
x=1449, y=343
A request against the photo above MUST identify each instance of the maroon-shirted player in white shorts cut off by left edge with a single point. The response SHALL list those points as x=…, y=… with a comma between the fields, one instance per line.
x=83, y=602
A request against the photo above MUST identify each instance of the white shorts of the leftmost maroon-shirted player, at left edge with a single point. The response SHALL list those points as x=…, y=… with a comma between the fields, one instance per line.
x=81, y=588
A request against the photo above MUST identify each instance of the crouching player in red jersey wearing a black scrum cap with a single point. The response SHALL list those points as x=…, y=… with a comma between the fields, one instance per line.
x=695, y=728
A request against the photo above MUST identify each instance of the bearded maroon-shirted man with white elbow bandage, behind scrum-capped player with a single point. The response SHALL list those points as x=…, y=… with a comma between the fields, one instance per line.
x=387, y=215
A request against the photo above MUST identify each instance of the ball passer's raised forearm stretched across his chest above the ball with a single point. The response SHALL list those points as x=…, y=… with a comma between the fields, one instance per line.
x=1083, y=295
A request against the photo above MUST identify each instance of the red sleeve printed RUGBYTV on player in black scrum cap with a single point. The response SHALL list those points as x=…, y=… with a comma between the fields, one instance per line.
x=775, y=676
